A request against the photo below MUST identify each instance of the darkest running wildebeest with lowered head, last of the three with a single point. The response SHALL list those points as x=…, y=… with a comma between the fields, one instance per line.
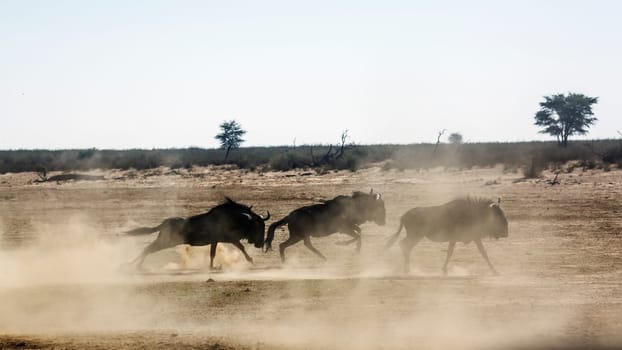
x=228, y=222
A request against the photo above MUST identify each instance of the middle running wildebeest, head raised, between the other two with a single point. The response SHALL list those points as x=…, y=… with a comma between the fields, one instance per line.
x=341, y=214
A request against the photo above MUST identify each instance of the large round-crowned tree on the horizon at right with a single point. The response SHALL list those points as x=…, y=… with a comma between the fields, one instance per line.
x=565, y=115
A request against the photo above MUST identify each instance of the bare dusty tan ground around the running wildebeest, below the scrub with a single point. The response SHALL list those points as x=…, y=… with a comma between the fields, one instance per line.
x=63, y=283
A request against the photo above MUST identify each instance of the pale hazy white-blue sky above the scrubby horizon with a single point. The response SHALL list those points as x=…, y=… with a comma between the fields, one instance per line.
x=143, y=74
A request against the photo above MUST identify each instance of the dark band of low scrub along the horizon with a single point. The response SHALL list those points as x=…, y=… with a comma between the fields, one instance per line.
x=321, y=157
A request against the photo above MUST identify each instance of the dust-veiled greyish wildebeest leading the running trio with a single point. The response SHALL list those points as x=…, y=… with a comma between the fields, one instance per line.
x=461, y=220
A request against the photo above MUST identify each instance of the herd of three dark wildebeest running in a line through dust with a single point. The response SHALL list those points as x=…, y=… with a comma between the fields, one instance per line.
x=461, y=220
